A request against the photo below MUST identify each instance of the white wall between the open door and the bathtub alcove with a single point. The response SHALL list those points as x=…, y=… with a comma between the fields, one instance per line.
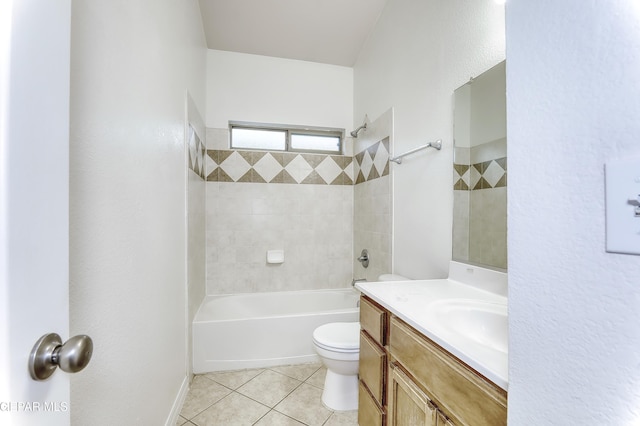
x=132, y=65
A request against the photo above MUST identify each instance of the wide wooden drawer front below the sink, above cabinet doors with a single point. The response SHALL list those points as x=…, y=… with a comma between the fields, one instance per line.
x=456, y=389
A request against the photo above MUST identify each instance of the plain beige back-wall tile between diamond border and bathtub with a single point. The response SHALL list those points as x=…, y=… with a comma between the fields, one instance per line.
x=313, y=224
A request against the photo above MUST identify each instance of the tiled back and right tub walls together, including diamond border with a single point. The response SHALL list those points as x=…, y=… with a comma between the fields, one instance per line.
x=322, y=210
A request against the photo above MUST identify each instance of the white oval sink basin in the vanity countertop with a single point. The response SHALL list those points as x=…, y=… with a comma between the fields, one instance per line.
x=484, y=323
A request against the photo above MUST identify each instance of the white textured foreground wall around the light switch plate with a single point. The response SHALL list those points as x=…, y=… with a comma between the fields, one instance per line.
x=574, y=310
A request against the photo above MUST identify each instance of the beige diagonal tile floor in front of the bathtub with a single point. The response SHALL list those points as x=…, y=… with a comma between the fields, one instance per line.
x=276, y=396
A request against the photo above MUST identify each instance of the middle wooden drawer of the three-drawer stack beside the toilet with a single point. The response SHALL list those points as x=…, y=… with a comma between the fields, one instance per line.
x=372, y=366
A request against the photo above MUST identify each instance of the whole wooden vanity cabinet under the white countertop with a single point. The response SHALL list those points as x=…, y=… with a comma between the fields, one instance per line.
x=408, y=380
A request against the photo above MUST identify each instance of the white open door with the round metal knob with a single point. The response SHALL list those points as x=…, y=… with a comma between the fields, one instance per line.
x=34, y=199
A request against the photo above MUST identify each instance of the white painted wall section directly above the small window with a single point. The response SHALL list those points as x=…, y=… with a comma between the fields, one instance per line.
x=263, y=89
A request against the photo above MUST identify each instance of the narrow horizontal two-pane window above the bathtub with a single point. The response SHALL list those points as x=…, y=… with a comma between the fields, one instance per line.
x=273, y=137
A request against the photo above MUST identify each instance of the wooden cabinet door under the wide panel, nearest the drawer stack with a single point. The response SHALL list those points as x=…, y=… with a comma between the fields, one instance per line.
x=408, y=404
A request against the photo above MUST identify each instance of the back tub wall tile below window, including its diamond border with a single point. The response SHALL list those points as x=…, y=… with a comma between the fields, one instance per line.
x=259, y=201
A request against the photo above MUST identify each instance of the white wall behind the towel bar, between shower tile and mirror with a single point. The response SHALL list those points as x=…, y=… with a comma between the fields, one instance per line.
x=418, y=54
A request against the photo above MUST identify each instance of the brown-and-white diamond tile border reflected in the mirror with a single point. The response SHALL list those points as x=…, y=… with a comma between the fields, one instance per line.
x=483, y=173
